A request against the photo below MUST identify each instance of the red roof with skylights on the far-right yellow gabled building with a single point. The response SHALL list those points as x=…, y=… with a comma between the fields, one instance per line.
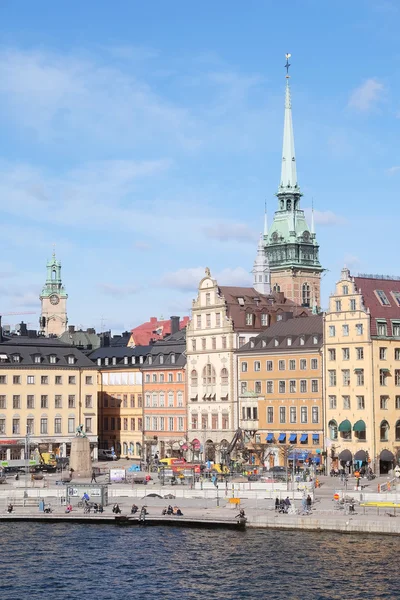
x=369, y=287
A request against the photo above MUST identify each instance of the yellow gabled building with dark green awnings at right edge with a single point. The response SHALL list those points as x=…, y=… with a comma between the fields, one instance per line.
x=362, y=372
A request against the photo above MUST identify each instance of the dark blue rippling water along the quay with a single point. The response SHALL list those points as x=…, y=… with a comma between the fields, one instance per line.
x=54, y=561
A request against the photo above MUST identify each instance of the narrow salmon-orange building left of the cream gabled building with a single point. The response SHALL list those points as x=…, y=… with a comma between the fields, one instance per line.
x=164, y=410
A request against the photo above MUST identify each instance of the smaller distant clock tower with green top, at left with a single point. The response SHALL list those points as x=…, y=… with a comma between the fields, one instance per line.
x=53, y=319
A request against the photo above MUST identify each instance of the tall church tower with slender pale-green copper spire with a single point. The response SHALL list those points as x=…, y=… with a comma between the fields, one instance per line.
x=291, y=247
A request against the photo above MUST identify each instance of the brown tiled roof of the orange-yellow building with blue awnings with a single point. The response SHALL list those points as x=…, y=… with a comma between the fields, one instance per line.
x=298, y=328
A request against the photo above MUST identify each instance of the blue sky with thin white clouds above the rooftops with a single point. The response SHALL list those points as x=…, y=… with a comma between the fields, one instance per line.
x=144, y=138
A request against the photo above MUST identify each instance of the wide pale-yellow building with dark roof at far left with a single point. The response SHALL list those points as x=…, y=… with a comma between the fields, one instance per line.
x=47, y=389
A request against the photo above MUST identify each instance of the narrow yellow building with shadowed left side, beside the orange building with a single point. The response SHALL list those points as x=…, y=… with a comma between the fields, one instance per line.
x=120, y=399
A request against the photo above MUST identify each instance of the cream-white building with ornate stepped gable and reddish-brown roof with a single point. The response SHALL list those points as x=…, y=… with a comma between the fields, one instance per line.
x=223, y=319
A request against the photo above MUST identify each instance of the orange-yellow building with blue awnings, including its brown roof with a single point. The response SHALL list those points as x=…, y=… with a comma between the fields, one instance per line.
x=280, y=390
